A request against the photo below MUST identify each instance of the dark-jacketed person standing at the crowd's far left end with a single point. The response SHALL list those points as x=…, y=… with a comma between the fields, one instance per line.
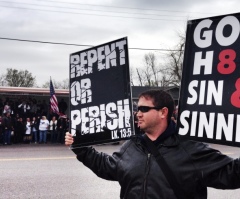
x=7, y=128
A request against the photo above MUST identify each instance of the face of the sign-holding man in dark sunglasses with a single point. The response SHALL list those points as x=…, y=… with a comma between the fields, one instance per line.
x=148, y=121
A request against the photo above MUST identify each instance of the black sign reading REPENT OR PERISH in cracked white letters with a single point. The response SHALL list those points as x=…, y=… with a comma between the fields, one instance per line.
x=100, y=94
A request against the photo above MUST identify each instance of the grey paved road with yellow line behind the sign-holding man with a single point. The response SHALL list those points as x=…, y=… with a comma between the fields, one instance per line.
x=51, y=171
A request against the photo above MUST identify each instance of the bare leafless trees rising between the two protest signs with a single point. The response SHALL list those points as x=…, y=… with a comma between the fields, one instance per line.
x=169, y=74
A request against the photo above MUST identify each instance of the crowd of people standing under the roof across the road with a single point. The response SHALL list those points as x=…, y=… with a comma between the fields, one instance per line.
x=26, y=120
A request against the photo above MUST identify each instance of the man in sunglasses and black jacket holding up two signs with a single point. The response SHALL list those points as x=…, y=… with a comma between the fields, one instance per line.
x=194, y=165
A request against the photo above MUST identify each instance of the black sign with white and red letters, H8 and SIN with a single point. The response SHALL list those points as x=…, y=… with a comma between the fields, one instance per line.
x=209, y=108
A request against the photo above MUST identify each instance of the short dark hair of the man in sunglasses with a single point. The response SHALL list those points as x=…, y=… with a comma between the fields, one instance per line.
x=161, y=99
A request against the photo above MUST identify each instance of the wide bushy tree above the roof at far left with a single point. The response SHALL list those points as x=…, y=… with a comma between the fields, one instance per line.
x=21, y=78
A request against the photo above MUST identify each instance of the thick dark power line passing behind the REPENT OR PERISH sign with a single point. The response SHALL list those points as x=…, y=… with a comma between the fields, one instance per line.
x=67, y=44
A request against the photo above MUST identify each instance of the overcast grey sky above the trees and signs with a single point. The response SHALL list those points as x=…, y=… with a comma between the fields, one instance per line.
x=148, y=24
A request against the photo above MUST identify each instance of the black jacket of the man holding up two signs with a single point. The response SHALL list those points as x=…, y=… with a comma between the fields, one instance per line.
x=195, y=165
